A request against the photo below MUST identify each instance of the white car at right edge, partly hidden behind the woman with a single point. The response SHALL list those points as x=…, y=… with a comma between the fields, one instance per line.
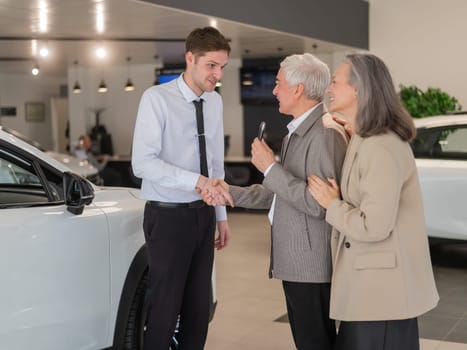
x=440, y=150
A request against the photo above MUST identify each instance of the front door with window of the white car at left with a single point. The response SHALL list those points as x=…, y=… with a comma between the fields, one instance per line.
x=54, y=266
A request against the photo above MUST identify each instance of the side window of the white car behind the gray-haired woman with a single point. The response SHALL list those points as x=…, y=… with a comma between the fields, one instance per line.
x=441, y=143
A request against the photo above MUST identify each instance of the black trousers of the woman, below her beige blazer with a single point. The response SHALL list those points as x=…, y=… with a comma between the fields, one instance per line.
x=378, y=335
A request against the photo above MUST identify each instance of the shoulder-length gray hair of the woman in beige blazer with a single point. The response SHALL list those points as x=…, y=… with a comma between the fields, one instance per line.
x=379, y=106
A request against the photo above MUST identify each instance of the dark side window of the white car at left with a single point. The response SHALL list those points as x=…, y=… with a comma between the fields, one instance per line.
x=22, y=183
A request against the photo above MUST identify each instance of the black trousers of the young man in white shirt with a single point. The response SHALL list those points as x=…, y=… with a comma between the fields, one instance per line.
x=180, y=244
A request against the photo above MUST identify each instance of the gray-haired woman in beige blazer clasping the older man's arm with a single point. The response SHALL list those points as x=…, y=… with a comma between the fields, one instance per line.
x=382, y=274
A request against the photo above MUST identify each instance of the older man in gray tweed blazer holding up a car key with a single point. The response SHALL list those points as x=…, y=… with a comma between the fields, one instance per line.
x=300, y=236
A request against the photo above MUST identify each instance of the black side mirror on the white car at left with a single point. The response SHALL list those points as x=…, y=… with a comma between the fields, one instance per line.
x=78, y=192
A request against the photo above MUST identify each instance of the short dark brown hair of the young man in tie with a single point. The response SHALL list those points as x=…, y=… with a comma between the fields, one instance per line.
x=202, y=40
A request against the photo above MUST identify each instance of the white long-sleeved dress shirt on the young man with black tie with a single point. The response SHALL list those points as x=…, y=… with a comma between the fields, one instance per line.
x=165, y=142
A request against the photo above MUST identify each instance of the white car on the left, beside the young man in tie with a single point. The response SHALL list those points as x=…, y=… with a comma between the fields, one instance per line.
x=73, y=260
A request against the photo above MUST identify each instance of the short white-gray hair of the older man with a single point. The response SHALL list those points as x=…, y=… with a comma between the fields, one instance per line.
x=308, y=70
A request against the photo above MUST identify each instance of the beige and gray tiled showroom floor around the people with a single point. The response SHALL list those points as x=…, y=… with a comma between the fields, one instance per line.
x=251, y=312
